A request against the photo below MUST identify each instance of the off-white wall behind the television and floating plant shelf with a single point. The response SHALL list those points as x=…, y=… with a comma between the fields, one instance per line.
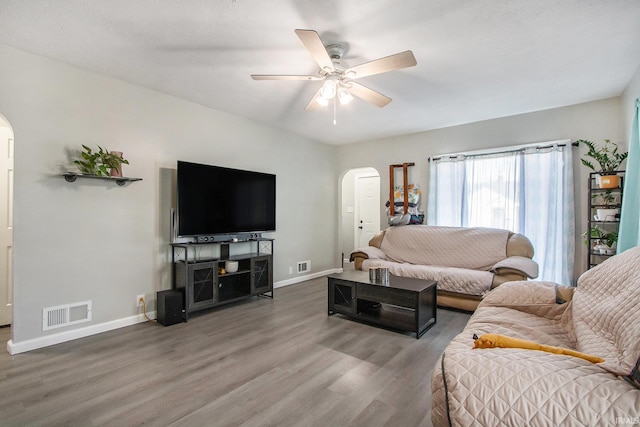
x=92, y=240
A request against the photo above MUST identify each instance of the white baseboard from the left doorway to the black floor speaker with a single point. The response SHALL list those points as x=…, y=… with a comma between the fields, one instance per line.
x=74, y=334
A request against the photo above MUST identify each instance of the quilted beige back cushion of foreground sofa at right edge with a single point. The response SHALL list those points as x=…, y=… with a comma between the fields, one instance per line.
x=606, y=312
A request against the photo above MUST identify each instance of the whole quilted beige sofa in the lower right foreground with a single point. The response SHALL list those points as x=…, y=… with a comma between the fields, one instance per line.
x=518, y=387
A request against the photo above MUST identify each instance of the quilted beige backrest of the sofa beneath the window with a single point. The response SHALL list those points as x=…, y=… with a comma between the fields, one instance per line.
x=472, y=248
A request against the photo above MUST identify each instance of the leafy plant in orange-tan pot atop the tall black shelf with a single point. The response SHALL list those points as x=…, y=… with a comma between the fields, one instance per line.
x=608, y=159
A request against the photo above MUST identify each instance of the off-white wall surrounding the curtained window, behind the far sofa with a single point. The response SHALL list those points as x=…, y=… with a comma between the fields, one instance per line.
x=594, y=121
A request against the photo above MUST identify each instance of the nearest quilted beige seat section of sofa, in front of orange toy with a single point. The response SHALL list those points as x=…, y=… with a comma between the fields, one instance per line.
x=513, y=387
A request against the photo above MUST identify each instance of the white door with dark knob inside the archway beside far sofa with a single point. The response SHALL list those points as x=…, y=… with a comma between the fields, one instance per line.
x=367, y=213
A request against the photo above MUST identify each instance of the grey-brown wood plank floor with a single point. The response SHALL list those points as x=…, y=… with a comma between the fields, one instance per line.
x=280, y=362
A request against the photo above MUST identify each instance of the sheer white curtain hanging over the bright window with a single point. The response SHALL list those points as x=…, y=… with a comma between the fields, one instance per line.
x=527, y=191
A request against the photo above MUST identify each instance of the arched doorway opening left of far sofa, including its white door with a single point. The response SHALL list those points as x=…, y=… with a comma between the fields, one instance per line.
x=360, y=208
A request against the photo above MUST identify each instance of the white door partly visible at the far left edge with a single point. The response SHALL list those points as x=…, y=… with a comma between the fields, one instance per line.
x=6, y=224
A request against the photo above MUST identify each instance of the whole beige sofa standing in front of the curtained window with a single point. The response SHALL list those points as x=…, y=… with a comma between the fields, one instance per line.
x=466, y=262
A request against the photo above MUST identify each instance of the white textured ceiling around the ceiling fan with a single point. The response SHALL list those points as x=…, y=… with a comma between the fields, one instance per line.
x=477, y=59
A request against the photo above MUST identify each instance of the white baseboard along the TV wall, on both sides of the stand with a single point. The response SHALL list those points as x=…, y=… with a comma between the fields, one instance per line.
x=74, y=334
